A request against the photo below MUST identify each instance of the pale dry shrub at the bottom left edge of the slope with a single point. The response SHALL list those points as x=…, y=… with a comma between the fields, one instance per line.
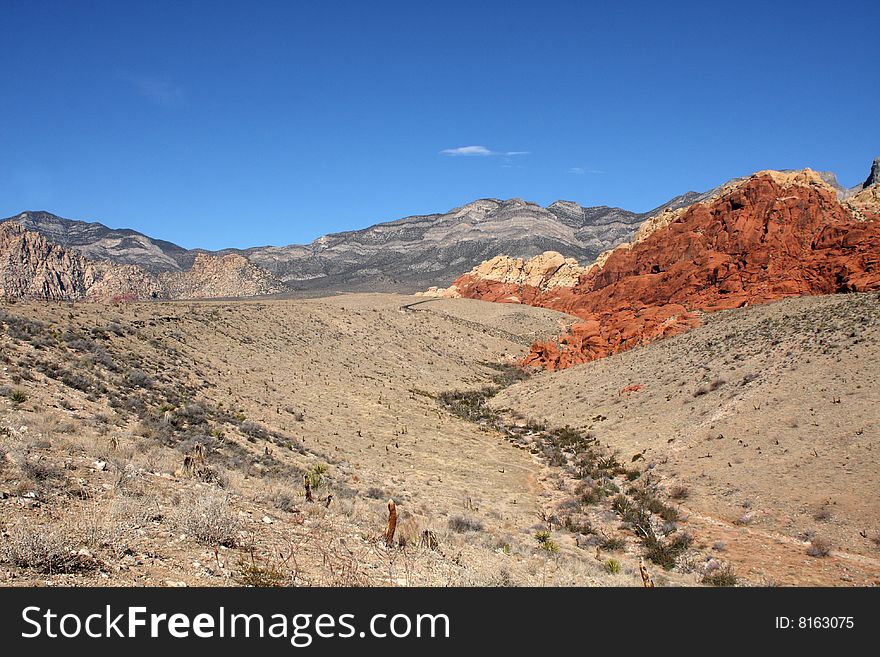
x=46, y=550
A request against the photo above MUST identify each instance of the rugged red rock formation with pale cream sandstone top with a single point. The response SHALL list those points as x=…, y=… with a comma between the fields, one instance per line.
x=762, y=240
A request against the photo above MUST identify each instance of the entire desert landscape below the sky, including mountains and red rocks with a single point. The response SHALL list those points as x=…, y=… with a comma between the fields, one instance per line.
x=550, y=396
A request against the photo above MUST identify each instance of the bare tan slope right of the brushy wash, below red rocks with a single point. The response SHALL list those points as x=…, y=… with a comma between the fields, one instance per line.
x=764, y=421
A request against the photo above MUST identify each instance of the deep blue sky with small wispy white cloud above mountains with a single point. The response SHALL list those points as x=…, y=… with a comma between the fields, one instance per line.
x=238, y=124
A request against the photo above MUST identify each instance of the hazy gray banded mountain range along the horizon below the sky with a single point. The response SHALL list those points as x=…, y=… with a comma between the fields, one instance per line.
x=403, y=255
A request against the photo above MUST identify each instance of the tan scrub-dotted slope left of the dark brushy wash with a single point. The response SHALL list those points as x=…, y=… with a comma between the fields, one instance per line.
x=102, y=404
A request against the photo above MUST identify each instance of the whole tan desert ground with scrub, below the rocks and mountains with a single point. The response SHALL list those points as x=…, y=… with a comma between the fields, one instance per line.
x=167, y=443
